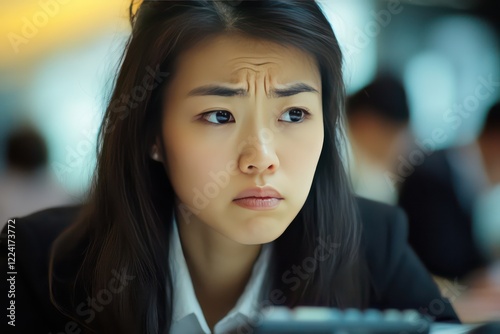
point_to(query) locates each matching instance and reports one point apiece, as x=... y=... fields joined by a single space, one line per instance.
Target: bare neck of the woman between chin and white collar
x=219 y=267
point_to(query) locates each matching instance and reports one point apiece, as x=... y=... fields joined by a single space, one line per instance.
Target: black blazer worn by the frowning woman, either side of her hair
x=398 y=278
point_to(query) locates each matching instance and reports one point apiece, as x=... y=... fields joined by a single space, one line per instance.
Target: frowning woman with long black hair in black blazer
x=219 y=187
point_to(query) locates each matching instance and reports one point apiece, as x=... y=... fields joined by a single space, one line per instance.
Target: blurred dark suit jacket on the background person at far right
x=440 y=225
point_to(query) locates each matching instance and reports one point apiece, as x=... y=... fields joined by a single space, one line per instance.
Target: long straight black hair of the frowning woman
x=126 y=222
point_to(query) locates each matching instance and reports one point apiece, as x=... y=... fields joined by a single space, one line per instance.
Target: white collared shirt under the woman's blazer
x=187 y=314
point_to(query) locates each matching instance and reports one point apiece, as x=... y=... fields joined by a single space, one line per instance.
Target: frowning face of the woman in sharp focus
x=241 y=114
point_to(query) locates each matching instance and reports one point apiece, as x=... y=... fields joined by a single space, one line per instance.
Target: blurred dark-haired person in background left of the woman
x=27 y=184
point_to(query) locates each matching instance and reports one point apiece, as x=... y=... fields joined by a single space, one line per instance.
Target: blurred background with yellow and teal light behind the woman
x=422 y=76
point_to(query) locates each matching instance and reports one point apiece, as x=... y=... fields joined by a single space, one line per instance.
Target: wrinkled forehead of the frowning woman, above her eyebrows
x=237 y=59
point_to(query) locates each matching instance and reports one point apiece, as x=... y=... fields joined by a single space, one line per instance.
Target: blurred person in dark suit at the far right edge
x=441 y=196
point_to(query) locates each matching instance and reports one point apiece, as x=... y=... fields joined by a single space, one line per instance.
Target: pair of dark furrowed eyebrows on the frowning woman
x=217 y=90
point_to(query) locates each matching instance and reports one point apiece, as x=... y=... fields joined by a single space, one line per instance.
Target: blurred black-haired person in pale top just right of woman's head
x=378 y=119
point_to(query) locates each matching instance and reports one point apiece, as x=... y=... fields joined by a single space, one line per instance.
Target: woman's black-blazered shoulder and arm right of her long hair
x=398 y=278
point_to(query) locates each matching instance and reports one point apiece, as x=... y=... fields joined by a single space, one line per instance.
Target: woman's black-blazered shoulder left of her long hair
x=32 y=237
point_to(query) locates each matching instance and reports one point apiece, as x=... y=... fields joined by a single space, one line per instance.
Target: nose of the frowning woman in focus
x=258 y=156
